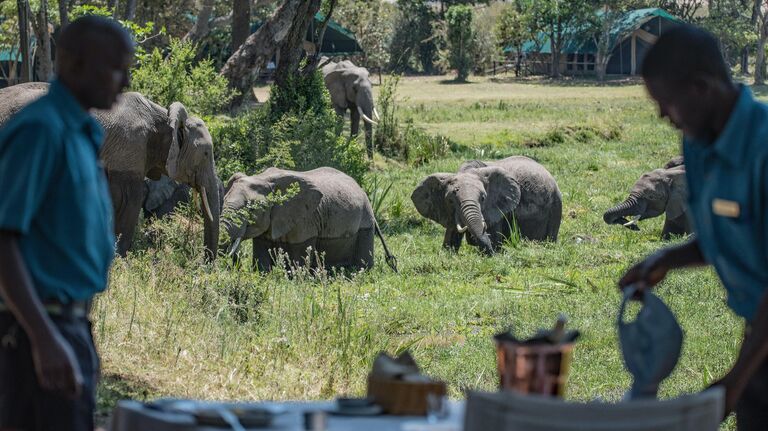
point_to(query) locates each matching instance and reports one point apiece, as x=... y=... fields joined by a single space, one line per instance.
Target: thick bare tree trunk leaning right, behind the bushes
x=260 y=46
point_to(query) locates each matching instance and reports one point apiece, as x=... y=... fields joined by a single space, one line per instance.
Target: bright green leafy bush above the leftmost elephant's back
x=175 y=77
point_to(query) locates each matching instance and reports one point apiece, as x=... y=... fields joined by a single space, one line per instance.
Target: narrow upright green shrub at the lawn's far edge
x=460 y=39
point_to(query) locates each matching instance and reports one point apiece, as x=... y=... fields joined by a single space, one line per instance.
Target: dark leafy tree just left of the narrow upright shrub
x=414 y=40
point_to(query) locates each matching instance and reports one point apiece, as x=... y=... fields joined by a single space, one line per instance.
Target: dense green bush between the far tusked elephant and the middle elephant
x=297 y=129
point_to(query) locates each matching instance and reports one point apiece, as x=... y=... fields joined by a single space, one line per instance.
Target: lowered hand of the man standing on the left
x=56 y=366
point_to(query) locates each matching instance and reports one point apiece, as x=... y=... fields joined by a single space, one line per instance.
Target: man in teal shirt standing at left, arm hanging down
x=56 y=235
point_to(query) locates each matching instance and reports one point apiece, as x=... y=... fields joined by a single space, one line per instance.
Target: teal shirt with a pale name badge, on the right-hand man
x=728 y=202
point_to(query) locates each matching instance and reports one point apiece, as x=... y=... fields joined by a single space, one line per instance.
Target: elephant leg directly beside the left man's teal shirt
x=127 y=192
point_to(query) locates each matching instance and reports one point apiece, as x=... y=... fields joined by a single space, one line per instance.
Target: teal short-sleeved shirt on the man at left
x=55 y=196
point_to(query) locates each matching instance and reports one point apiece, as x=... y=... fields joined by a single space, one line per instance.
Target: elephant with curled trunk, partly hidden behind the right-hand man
x=656 y=192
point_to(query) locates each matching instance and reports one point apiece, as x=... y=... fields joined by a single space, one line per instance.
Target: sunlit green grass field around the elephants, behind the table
x=171 y=326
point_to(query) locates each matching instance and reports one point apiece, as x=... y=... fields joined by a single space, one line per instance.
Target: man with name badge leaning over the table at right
x=725 y=150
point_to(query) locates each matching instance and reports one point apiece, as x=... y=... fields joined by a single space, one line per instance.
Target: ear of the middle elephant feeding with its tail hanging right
x=296 y=210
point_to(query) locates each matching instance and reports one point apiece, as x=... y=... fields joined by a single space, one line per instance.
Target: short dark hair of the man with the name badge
x=683 y=53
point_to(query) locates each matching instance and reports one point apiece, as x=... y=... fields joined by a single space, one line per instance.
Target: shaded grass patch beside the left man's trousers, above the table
x=113 y=388
